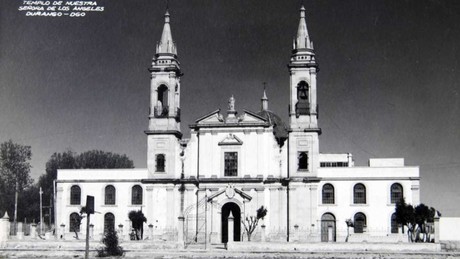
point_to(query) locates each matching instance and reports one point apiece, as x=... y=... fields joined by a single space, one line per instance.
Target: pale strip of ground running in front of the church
x=73 y=250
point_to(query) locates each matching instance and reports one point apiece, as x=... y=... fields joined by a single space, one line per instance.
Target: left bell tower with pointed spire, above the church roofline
x=164 y=133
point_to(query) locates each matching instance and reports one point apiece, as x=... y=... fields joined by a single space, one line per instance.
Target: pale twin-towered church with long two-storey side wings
x=235 y=163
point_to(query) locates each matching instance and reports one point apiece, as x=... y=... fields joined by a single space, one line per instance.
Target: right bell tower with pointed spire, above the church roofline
x=303 y=108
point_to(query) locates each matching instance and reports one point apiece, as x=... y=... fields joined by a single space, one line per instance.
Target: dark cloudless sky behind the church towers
x=388 y=84
